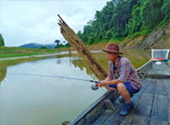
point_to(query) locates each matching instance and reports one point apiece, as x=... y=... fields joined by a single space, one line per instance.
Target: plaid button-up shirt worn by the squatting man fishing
x=125 y=72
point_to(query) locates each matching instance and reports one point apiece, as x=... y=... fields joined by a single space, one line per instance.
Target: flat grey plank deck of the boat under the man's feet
x=151 y=106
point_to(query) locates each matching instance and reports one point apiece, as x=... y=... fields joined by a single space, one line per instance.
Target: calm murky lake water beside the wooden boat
x=31 y=93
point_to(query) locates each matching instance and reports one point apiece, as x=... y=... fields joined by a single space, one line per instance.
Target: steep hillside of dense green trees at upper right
x=122 y=19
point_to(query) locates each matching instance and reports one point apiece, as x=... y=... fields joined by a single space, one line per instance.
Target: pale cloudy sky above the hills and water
x=36 y=21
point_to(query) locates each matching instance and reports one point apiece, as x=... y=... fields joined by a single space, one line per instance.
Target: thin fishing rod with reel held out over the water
x=93 y=87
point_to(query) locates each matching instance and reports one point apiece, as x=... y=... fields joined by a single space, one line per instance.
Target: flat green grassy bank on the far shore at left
x=17 y=52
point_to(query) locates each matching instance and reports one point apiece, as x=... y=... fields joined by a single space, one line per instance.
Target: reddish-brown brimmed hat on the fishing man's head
x=112 y=48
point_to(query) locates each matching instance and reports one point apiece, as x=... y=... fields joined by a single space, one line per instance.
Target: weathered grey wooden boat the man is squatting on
x=151 y=103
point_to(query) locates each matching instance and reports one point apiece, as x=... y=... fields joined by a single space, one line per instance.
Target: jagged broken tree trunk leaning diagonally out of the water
x=77 y=43
